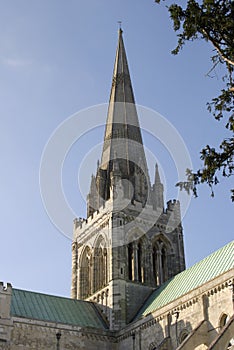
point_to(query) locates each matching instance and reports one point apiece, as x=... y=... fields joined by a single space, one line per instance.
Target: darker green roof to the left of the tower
x=55 y=309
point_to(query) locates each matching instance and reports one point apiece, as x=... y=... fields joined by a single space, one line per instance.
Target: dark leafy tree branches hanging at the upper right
x=212 y=21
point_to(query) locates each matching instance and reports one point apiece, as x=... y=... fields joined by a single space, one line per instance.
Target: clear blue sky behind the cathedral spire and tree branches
x=56 y=58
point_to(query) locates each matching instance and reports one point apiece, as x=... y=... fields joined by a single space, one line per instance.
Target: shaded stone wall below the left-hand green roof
x=29 y=335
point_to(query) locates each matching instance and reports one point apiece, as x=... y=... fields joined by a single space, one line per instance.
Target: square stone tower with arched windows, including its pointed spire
x=129 y=244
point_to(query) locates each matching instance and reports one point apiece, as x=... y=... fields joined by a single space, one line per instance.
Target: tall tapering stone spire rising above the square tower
x=123 y=135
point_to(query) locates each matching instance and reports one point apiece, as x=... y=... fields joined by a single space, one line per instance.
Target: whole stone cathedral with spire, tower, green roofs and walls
x=130 y=289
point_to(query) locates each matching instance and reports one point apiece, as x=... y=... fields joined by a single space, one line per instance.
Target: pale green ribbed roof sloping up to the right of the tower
x=212 y=266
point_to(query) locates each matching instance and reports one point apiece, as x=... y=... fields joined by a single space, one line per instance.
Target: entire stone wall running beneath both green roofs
x=190 y=322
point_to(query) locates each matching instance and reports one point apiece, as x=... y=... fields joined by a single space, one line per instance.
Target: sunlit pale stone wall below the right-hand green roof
x=196 y=314
